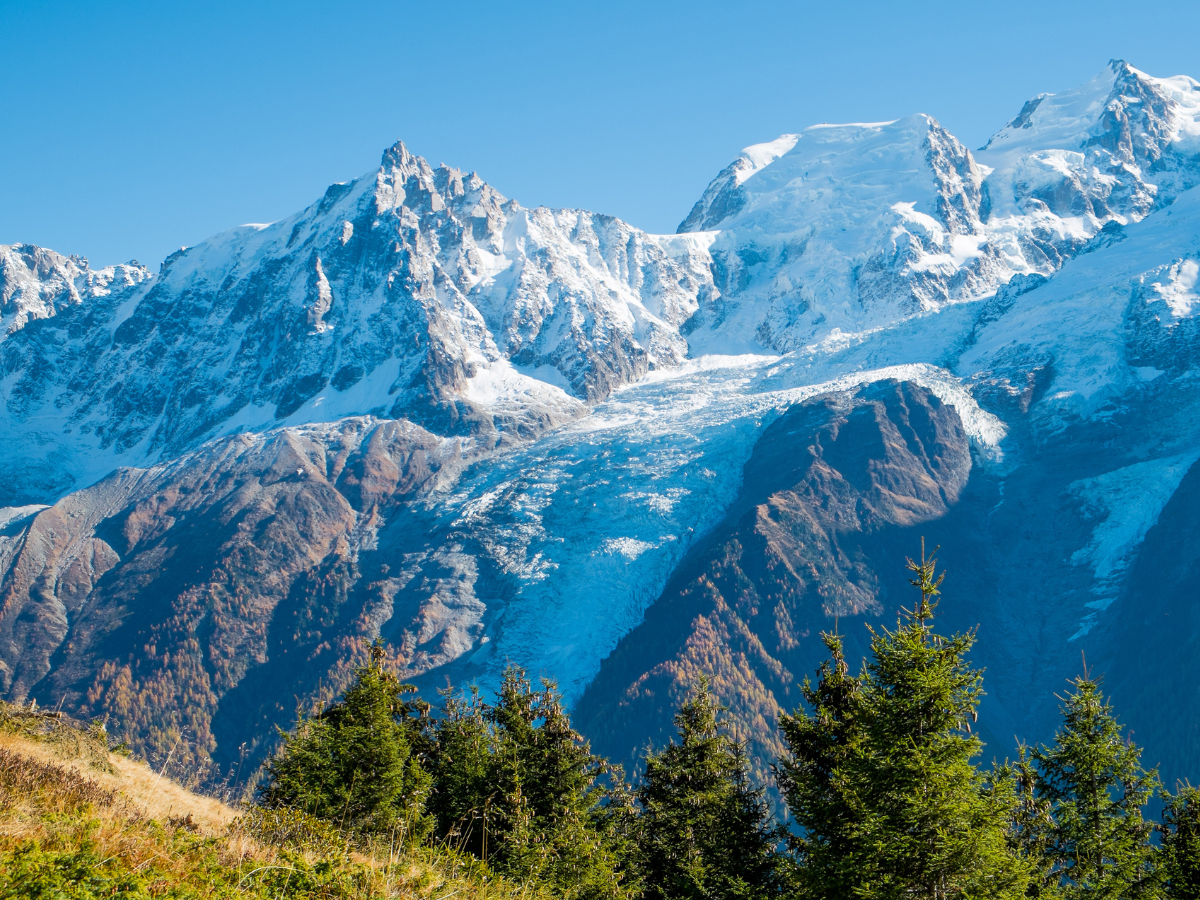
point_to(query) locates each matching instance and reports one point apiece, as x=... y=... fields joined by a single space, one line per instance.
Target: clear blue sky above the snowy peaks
x=130 y=129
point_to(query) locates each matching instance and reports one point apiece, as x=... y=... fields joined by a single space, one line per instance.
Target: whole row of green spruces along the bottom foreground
x=881 y=779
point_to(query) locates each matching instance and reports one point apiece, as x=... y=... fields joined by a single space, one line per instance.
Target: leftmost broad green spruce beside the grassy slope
x=357 y=764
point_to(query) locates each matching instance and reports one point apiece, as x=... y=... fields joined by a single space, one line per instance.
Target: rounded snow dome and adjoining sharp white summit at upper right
x=849 y=229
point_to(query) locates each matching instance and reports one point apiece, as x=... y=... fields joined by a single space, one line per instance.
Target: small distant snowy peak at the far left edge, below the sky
x=37 y=284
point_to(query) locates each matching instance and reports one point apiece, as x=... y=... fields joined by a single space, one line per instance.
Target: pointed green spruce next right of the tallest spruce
x=1099 y=844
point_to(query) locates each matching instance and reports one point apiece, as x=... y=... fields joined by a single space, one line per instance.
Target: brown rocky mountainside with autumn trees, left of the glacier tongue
x=203 y=596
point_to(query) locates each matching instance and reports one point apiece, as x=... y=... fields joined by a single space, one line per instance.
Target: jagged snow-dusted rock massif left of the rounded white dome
x=411 y=292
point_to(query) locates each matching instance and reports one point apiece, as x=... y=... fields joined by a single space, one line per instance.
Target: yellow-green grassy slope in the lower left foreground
x=80 y=821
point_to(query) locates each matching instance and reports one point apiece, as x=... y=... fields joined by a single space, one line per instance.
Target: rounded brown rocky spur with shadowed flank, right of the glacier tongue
x=748 y=604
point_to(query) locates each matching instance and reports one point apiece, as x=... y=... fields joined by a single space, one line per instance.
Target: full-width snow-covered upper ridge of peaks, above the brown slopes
x=423 y=293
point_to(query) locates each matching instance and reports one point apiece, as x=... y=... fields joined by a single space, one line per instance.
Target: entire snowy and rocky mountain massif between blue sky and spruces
x=495 y=435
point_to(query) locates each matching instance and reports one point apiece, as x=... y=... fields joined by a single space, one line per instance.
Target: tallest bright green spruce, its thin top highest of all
x=940 y=825
